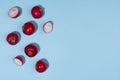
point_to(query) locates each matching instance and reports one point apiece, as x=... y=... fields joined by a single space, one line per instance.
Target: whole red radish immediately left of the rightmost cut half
x=28 y=28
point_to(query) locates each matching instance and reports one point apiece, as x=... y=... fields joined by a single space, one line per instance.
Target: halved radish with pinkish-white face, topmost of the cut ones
x=14 y=12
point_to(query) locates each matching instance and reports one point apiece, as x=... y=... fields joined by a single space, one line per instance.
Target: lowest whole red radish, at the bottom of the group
x=41 y=66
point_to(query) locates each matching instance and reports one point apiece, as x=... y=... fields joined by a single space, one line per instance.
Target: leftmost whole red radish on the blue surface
x=12 y=38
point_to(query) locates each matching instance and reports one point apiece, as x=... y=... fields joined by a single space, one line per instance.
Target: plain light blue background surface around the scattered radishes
x=84 y=45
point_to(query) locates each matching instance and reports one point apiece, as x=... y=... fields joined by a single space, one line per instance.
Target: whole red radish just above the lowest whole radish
x=31 y=50
